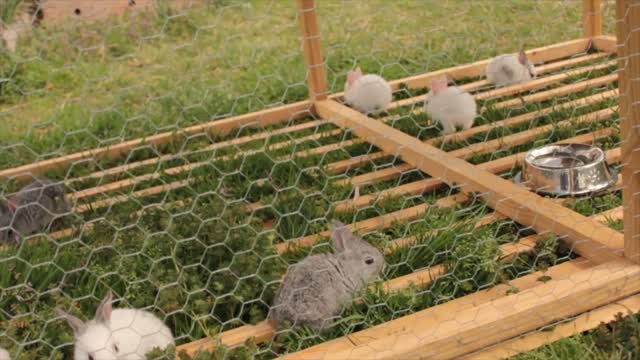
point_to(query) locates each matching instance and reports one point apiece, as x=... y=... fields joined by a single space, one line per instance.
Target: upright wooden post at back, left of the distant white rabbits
x=316 y=76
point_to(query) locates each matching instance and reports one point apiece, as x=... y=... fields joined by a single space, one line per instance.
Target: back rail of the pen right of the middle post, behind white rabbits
x=543 y=54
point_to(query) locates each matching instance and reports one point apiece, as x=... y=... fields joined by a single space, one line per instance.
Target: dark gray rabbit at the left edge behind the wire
x=32 y=209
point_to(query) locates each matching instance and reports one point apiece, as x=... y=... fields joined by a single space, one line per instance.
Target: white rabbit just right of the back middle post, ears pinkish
x=369 y=94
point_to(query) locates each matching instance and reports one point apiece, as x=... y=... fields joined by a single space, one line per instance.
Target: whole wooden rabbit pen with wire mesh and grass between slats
x=198 y=224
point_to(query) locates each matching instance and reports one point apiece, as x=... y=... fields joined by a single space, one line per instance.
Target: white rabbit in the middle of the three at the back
x=450 y=106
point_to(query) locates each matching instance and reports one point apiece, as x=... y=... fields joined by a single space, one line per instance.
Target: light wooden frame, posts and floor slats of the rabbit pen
x=491 y=323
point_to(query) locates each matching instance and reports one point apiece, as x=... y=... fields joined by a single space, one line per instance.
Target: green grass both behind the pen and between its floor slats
x=208 y=265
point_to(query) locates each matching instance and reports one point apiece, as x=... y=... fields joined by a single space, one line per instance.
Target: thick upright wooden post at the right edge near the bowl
x=628 y=35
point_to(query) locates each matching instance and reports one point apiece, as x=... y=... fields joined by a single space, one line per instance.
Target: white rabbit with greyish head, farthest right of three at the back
x=510 y=69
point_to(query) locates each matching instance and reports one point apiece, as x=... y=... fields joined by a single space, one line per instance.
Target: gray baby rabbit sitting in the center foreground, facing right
x=315 y=290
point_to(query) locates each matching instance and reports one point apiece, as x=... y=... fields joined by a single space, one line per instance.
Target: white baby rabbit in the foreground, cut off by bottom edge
x=117 y=334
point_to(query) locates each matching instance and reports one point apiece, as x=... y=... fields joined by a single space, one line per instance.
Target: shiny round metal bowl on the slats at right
x=566 y=170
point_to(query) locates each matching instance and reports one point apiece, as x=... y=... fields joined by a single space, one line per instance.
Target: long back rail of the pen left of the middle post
x=261 y=118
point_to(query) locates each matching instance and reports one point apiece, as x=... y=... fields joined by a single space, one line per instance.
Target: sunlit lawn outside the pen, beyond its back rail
x=158 y=73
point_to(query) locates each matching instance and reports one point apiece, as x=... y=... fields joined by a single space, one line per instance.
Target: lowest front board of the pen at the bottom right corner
x=584 y=322
